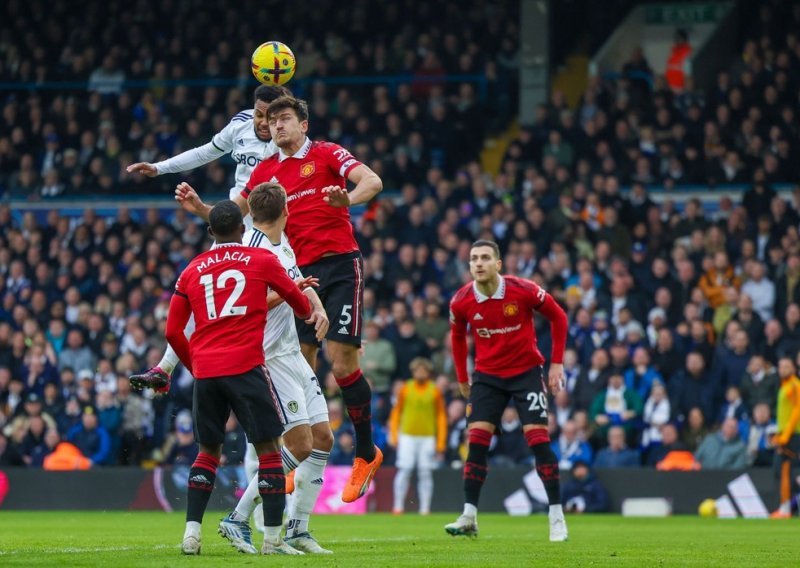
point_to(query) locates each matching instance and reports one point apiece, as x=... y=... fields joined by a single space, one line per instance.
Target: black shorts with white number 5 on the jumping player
x=341 y=289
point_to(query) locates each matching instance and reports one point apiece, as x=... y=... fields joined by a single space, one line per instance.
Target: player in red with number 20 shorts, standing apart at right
x=498 y=312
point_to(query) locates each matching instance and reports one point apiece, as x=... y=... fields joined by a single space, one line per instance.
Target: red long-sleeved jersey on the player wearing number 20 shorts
x=502 y=327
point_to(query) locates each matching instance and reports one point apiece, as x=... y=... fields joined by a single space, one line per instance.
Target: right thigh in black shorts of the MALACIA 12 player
x=253 y=400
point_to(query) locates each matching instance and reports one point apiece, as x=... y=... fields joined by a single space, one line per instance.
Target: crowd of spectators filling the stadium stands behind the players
x=677 y=317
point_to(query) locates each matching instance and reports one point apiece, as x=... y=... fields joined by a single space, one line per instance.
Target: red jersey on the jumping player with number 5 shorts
x=314 y=228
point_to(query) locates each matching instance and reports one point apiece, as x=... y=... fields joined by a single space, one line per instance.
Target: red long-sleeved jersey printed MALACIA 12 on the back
x=226 y=288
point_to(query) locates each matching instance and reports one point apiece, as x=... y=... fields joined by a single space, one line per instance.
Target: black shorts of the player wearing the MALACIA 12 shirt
x=250 y=396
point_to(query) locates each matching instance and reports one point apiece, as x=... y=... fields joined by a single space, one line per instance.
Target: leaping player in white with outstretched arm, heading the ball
x=247 y=139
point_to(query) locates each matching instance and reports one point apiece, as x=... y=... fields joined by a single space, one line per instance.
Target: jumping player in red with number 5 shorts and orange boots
x=319 y=230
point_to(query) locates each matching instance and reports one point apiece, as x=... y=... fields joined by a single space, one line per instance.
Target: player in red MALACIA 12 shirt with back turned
x=226 y=290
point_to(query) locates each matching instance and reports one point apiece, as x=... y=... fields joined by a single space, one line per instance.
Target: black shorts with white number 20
x=489 y=397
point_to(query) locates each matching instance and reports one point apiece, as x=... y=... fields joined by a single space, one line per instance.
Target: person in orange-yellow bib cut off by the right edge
x=787 y=439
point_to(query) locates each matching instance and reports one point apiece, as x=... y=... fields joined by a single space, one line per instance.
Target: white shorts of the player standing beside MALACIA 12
x=298 y=391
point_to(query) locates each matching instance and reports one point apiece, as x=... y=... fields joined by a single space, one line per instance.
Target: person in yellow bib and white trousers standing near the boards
x=418 y=429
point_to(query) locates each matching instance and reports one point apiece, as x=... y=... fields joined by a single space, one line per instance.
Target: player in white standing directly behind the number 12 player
x=307 y=436
